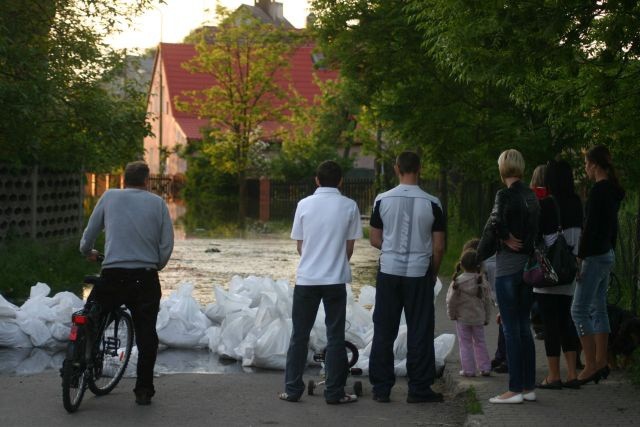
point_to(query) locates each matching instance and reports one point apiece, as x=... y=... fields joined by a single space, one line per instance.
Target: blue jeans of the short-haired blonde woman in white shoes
x=514 y=302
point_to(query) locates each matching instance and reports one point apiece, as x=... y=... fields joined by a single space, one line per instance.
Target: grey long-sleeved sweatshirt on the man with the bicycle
x=138 y=229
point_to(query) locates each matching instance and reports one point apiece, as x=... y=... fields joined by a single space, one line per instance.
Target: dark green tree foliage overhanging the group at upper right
x=461 y=80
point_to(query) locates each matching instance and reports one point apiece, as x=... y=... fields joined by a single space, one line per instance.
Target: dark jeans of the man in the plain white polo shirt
x=306 y=300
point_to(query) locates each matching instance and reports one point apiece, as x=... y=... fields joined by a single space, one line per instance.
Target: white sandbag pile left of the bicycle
x=40 y=322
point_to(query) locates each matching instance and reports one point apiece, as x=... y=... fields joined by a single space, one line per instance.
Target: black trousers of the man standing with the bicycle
x=139 y=290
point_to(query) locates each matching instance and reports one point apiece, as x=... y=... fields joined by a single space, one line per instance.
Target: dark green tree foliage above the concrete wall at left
x=57 y=106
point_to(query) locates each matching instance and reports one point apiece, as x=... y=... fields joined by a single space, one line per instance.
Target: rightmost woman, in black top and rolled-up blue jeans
x=596 y=258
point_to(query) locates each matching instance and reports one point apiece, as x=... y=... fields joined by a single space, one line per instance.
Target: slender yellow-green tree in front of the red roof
x=248 y=61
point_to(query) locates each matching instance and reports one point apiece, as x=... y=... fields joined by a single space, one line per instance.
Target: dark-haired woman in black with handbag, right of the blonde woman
x=555 y=302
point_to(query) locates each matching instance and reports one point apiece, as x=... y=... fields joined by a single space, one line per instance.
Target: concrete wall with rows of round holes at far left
x=40 y=204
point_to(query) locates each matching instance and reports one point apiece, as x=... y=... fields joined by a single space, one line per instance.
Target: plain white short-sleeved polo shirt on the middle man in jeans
x=324 y=222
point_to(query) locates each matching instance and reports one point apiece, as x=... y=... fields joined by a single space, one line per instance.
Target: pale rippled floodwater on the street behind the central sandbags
x=207 y=262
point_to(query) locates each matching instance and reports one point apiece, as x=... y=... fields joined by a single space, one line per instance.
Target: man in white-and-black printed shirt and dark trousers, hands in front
x=408 y=225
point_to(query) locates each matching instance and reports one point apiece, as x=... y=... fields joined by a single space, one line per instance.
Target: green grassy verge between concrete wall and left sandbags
x=57 y=263
